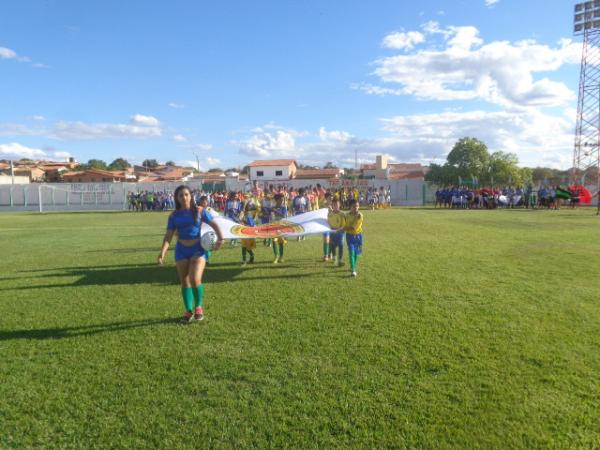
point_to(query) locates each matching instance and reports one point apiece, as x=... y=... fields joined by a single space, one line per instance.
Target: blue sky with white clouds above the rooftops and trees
x=313 y=80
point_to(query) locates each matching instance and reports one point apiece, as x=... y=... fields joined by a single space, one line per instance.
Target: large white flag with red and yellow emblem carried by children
x=314 y=222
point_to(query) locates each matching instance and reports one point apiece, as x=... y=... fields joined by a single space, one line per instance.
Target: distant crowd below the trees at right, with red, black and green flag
x=509 y=197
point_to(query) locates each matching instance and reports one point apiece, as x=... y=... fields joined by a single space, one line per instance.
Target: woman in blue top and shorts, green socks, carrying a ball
x=190 y=257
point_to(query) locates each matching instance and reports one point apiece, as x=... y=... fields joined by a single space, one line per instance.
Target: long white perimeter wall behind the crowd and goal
x=113 y=196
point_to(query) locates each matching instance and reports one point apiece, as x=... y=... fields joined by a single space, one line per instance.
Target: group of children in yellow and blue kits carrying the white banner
x=272 y=206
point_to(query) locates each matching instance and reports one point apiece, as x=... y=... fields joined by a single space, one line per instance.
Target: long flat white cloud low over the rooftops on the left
x=81 y=130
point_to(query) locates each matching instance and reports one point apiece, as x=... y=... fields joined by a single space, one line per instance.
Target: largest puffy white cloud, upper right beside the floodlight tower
x=499 y=72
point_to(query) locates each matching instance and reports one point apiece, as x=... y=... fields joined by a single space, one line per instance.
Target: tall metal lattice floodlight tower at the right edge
x=586 y=154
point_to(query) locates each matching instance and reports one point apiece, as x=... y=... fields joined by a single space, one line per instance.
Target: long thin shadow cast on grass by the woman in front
x=70 y=332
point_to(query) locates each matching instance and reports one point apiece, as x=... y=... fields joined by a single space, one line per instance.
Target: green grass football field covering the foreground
x=464 y=329
